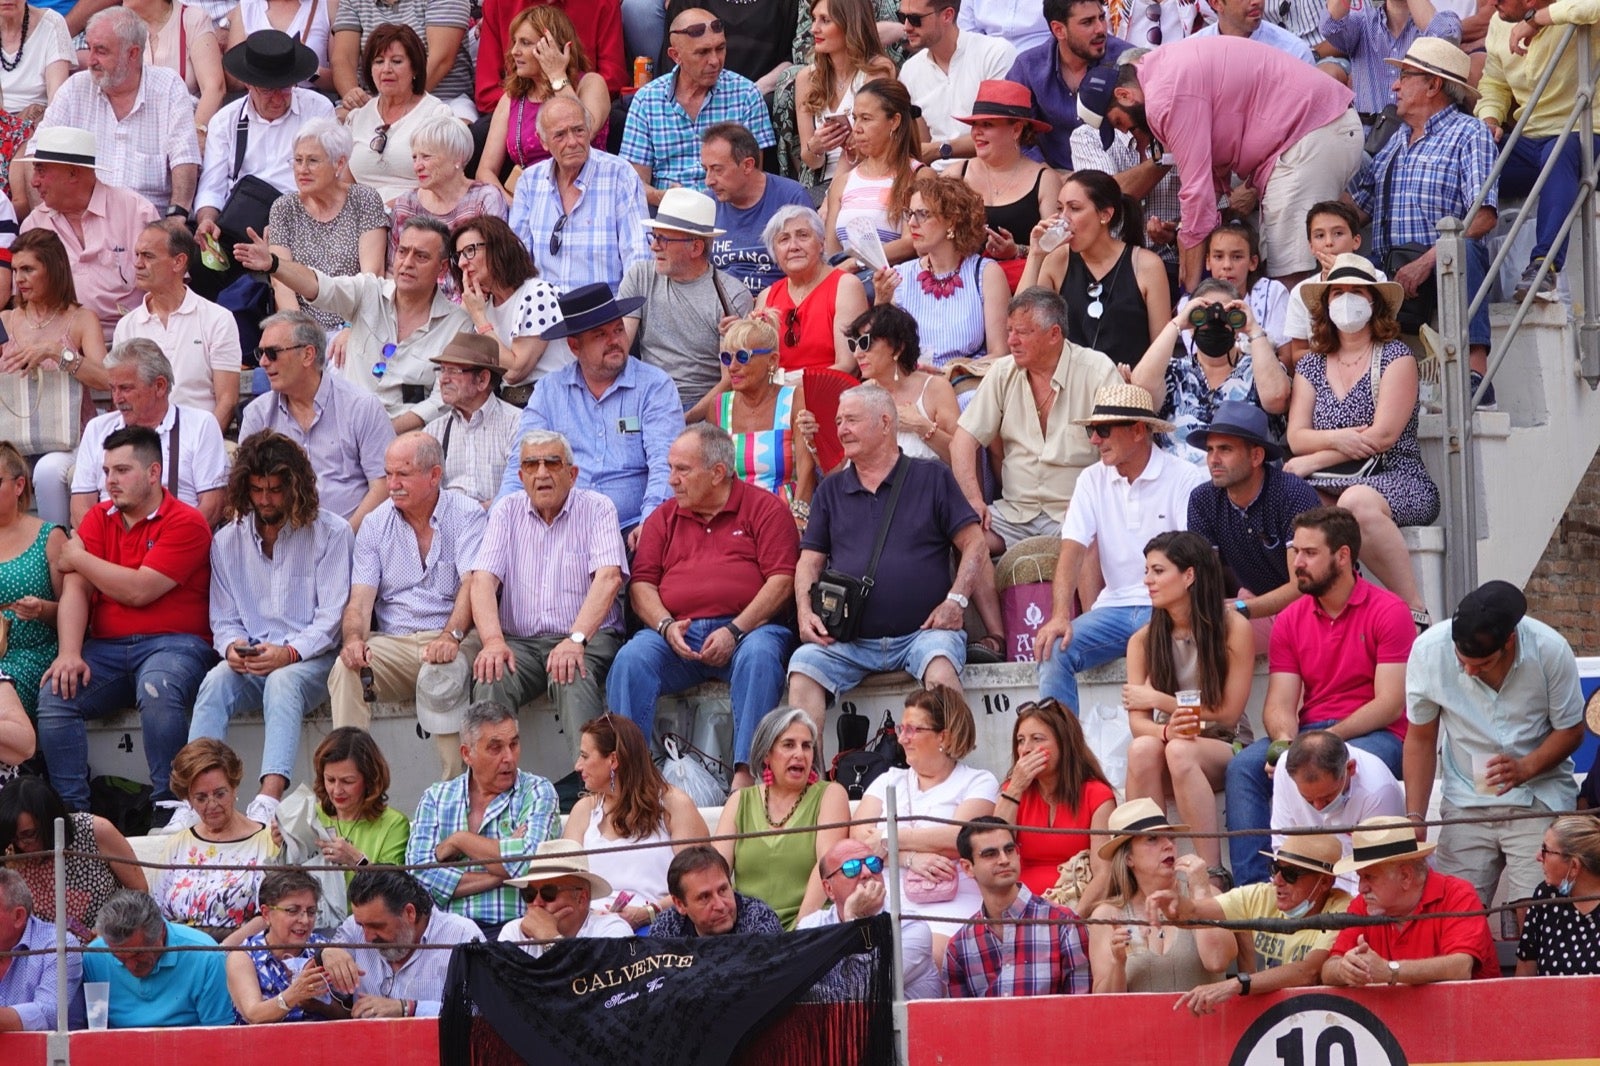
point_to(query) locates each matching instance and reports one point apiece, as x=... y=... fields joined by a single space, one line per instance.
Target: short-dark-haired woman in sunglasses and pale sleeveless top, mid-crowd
x=887 y=350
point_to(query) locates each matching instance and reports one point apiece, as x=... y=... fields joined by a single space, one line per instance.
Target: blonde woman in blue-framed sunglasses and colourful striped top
x=762 y=415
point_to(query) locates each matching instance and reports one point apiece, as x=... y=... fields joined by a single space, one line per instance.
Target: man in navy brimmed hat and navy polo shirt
x=1249 y=508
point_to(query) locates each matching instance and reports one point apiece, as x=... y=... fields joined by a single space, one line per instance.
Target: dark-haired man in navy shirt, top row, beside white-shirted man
x=1055 y=71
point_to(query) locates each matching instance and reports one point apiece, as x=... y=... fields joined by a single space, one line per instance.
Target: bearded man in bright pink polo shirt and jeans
x=1337 y=663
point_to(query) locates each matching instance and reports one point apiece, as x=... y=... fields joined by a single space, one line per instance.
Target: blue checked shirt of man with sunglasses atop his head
x=662 y=135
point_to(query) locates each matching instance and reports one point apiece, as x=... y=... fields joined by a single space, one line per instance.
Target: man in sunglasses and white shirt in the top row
x=945 y=74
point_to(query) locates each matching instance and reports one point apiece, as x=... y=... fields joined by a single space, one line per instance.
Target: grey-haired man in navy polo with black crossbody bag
x=914 y=617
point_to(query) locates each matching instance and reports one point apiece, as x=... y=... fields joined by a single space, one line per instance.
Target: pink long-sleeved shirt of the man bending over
x=1231 y=106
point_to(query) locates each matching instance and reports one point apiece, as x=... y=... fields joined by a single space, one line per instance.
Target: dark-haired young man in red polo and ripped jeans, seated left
x=134 y=620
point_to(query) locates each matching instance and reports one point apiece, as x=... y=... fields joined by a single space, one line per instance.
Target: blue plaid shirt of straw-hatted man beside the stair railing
x=1434 y=178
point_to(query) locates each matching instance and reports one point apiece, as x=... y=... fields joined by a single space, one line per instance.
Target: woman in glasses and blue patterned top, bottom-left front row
x=287 y=982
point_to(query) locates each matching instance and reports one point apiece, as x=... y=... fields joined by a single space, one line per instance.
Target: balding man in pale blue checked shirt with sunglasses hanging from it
x=580 y=212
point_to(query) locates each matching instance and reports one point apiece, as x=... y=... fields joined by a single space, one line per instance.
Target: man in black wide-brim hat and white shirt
x=271 y=65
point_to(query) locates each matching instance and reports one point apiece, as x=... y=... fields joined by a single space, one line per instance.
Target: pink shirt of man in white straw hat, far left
x=103 y=262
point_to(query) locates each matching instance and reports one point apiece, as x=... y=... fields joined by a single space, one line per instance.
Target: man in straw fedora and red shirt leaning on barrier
x=1399 y=884
